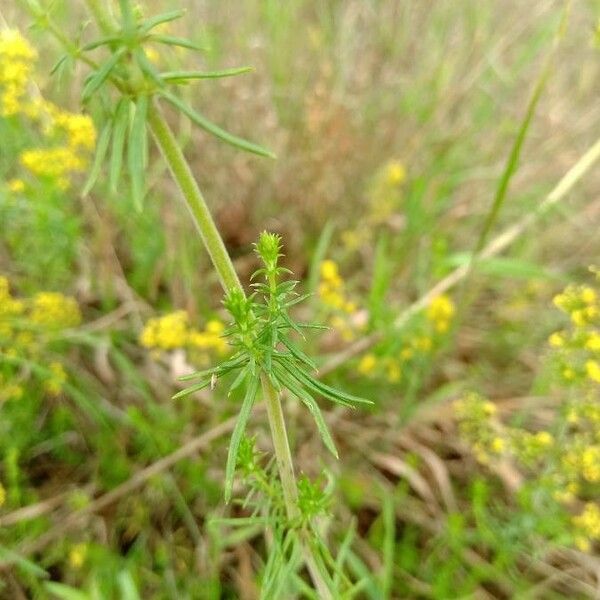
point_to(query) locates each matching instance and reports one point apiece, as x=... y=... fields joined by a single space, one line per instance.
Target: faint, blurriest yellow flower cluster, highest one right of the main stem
x=384 y=197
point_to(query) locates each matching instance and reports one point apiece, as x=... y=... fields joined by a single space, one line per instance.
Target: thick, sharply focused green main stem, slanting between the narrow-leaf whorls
x=213 y=242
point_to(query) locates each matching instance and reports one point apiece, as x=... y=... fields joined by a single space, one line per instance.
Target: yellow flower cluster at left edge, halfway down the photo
x=24 y=324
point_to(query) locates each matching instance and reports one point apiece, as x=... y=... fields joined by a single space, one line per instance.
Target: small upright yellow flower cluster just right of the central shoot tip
x=334 y=297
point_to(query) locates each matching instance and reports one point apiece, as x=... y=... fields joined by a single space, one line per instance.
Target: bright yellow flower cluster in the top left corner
x=69 y=137
